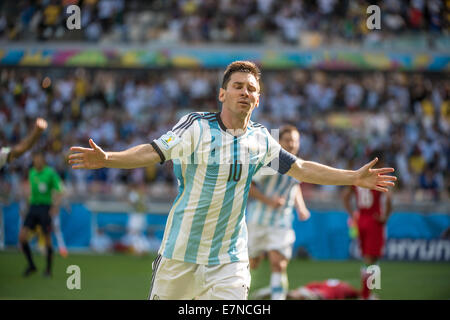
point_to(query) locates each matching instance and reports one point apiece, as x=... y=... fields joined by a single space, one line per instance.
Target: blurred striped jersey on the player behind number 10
x=271 y=186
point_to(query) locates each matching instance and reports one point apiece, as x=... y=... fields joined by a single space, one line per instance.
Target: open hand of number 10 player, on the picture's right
x=375 y=178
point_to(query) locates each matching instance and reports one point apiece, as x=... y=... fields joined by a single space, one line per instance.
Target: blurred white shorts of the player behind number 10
x=262 y=239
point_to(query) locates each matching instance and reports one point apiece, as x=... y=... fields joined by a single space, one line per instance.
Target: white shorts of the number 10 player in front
x=178 y=280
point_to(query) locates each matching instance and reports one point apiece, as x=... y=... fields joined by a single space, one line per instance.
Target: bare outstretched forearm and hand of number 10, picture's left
x=95 y=158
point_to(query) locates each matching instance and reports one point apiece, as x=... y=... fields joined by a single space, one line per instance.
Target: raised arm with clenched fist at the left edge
x=7 y=155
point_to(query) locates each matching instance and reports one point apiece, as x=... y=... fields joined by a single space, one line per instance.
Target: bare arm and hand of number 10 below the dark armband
x=366 y=177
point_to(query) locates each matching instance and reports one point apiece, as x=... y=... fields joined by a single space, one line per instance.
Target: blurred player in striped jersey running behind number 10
x=270 y=217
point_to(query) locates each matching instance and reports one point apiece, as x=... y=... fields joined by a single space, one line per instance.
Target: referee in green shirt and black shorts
x=45 y=200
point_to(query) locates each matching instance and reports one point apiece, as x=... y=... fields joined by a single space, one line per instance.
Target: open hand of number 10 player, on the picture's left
x=88 y=158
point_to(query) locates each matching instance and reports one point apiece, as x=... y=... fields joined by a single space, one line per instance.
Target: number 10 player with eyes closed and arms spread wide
x=215 y=155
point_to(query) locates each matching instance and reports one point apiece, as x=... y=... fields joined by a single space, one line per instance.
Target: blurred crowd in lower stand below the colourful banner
x=342 y=117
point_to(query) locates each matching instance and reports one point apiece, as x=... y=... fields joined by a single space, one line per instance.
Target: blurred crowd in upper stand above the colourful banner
x=309 y=23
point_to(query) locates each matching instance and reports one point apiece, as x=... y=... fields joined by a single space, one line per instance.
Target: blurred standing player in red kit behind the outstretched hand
x=373 y=208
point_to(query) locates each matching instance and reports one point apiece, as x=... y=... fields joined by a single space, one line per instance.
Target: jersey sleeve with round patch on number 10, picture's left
x=180 y=142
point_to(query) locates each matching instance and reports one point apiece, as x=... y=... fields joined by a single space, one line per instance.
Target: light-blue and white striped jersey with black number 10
x=214 y=169
